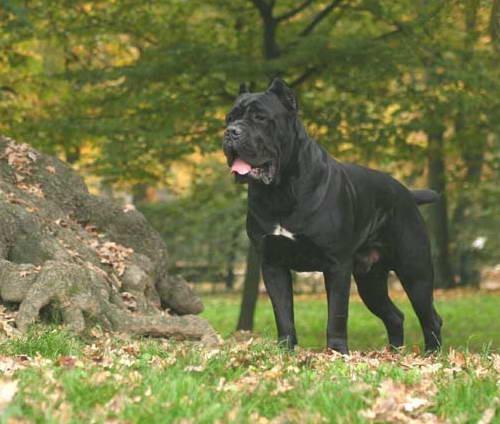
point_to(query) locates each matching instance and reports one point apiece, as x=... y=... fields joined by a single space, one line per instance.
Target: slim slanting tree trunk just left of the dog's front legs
x=250 y=290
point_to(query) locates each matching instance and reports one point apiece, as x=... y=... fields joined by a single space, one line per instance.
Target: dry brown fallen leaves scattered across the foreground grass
x=252 y=367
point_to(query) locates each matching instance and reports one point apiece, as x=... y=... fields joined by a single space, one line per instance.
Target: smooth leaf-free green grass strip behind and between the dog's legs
x=471 y=321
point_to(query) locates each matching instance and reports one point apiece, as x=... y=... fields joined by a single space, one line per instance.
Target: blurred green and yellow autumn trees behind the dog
x=134 y=95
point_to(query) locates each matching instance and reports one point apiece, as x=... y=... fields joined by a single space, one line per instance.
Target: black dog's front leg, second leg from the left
x=338 y=284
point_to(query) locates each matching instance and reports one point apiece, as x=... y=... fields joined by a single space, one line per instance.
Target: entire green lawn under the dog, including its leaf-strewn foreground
x=56 y=377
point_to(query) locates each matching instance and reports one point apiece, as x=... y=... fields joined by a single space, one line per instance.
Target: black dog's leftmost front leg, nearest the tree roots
x=278 y=282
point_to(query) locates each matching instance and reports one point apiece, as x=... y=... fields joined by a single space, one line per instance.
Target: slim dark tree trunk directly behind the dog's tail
x=438 y=213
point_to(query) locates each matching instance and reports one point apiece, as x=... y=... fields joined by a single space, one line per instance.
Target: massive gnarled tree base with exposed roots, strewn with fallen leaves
x=85 y=256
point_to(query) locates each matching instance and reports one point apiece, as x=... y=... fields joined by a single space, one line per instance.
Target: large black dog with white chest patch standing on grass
x=308 y=212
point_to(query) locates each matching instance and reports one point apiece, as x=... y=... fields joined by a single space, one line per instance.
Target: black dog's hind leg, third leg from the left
x=372 y=288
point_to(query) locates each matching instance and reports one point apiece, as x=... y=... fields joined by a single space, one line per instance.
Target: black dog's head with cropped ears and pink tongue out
x=260 y=130
